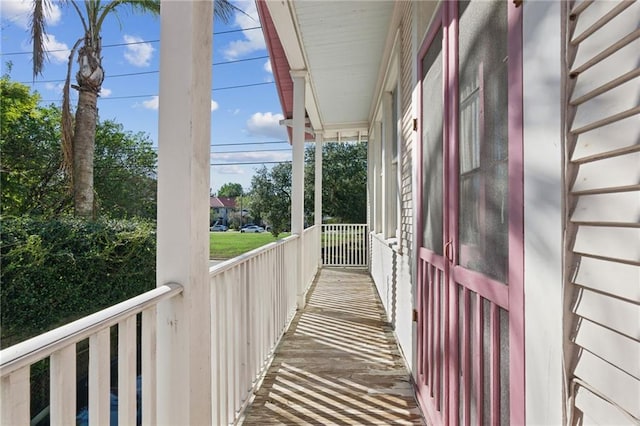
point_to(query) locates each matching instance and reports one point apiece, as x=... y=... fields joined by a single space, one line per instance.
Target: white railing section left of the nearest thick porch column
x=59 y=346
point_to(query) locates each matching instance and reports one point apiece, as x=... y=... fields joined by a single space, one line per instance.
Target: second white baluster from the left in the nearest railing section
x=63 y=384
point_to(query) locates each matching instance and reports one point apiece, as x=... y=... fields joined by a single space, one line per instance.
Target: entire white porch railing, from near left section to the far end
x=253 y=299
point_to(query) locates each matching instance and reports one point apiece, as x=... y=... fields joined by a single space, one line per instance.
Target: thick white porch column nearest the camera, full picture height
x=184 y=322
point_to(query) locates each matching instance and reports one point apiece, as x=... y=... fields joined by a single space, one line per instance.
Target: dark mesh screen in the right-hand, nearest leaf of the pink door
x=483 y=142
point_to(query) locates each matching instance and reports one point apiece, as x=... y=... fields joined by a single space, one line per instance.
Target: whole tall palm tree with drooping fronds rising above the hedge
x=78 y=141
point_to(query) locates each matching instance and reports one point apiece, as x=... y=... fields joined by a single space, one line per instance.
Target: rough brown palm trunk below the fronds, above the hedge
x=83 y=150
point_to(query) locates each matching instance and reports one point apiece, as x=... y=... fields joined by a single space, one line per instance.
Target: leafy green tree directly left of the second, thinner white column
x=271 y=196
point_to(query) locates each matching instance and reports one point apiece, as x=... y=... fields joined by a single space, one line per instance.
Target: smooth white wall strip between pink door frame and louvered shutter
x=543 y=211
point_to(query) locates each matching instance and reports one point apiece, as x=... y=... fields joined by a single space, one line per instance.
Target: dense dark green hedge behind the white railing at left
x=55 y=271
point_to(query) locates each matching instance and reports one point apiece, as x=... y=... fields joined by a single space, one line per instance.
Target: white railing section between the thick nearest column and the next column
x=253 y=299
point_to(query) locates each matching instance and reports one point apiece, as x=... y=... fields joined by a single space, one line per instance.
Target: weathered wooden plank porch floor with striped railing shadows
x=338 y=362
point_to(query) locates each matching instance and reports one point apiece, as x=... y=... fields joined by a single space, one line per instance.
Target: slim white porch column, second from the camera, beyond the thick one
x=297 y=175
